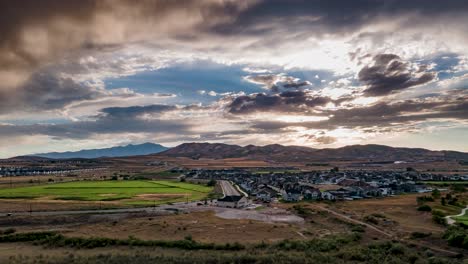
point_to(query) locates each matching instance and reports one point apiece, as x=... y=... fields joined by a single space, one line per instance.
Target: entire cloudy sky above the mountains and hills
x=316 y=73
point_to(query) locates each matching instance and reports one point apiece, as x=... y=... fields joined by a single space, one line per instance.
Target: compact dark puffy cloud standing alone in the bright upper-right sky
x=389 y=74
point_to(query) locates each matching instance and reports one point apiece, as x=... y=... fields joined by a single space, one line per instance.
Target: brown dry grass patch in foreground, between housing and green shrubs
x=202 y=226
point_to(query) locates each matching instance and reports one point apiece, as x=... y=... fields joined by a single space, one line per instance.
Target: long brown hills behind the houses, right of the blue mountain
x=282 y=153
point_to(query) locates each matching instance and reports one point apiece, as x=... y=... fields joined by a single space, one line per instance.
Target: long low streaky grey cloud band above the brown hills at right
x=384 y=116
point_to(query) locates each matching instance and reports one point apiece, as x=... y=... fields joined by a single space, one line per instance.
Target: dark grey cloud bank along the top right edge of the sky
x=334 y=16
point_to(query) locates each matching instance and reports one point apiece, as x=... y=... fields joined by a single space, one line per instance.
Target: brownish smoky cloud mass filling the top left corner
x=35 y=33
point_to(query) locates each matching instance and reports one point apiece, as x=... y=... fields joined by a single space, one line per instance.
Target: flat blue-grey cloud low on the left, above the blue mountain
x=112 y=120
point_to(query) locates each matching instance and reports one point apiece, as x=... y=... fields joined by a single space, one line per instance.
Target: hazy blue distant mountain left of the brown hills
x=120 y=151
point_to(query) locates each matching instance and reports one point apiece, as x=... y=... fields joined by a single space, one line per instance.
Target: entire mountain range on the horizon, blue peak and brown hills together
x=274 y=152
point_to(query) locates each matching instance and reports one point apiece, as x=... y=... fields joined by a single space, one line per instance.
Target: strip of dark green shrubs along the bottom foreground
x=331 y=249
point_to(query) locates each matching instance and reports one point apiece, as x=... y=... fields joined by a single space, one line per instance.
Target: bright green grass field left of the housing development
x=138 y=192
